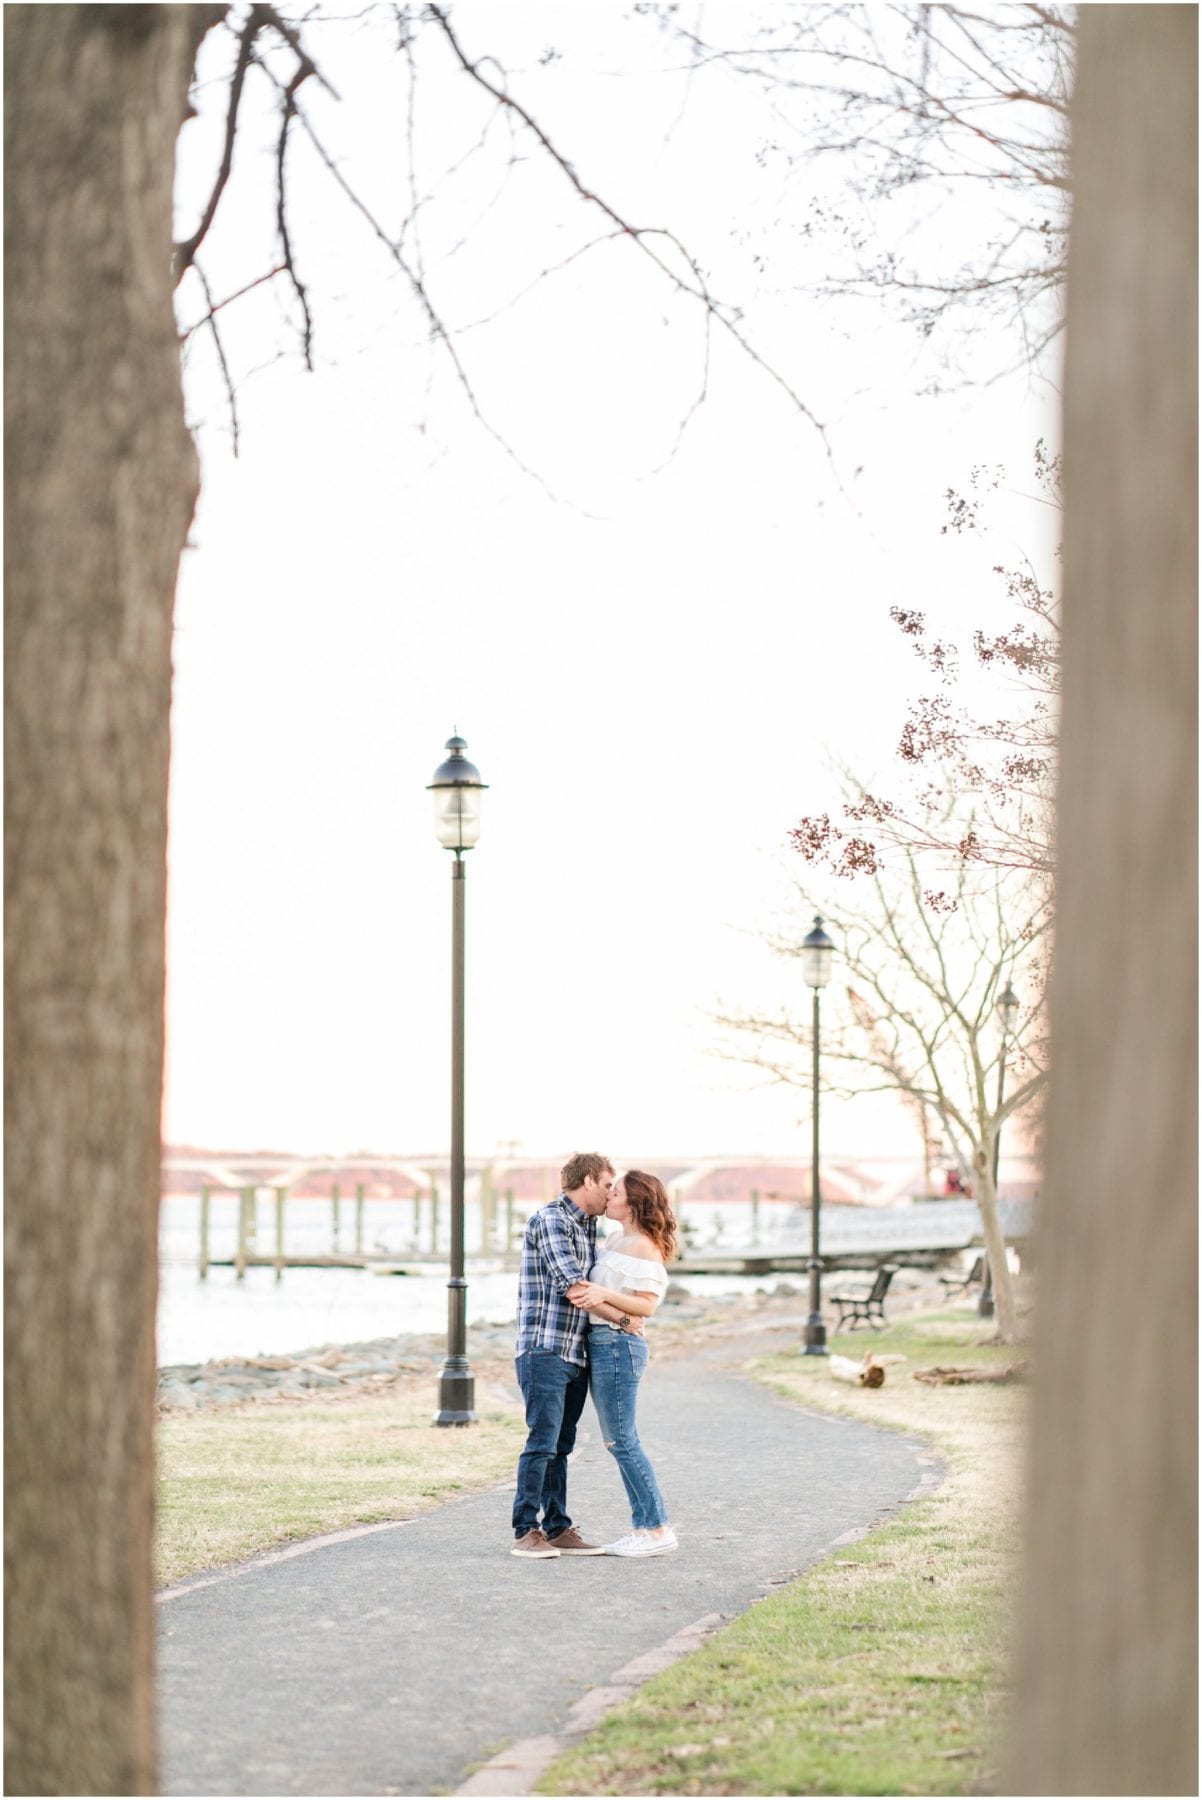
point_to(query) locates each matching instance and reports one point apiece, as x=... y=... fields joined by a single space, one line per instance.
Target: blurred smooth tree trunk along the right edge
x=1108 y=1655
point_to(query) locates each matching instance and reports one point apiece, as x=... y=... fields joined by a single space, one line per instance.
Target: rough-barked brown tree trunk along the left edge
x=102 y=481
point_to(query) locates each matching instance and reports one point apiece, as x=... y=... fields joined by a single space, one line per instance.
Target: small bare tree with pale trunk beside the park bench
x=917 y=1016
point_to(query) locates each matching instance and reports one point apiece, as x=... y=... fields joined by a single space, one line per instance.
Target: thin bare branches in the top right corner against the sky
x=924 y=109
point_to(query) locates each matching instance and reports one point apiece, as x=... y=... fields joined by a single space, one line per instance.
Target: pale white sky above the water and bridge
x=656 y=651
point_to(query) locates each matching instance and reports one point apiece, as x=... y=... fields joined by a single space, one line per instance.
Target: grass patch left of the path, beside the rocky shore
x=238 y=1482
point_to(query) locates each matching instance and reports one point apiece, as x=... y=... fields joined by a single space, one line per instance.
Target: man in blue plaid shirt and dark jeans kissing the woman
x=553 y=1354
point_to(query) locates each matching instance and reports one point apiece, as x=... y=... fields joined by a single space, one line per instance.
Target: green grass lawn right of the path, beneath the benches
x=883 y=1669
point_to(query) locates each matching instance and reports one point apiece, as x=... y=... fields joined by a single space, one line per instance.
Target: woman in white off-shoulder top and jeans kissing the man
x=627 y=1282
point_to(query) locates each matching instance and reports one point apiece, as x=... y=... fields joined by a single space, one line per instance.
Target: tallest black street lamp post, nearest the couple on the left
x=458 y=791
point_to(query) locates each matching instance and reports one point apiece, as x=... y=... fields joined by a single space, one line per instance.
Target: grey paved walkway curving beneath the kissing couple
x=397 y=1660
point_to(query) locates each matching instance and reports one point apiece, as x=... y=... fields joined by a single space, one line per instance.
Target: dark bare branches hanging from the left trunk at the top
x=433 y=51
